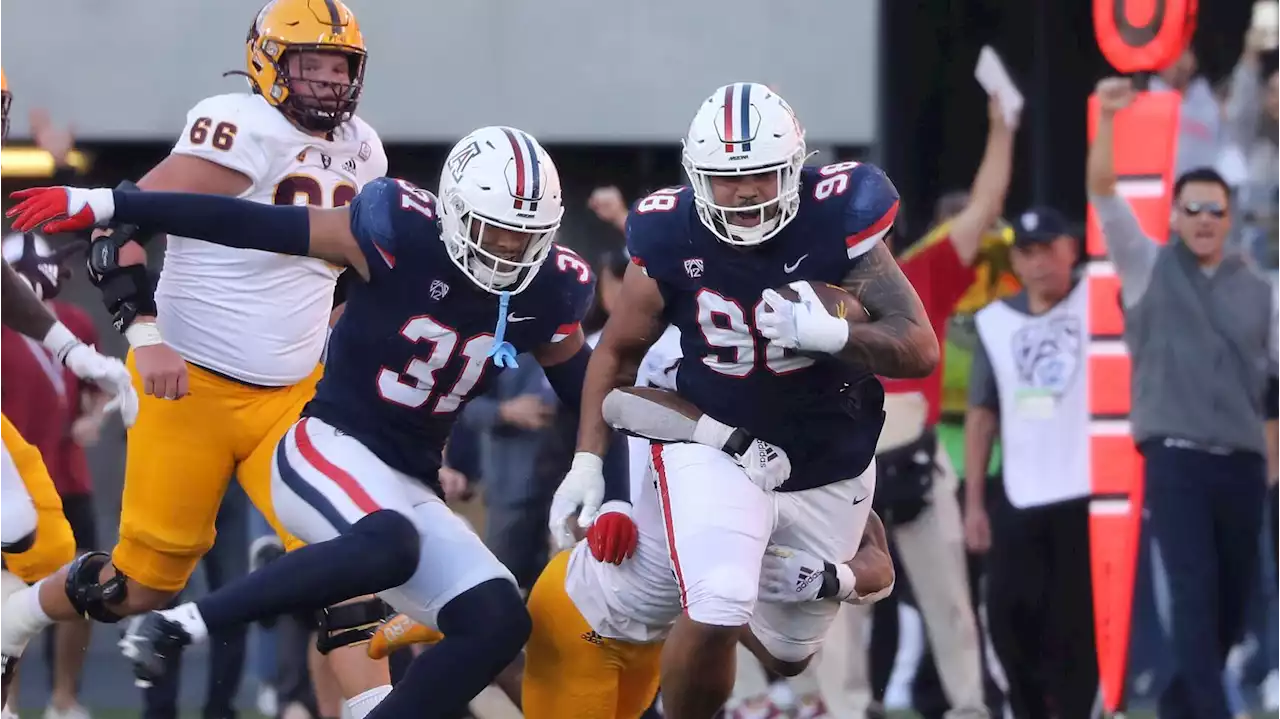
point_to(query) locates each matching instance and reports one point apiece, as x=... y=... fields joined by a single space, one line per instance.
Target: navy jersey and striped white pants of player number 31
x=410 y=351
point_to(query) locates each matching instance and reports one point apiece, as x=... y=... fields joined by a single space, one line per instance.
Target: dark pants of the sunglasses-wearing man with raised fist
x=1206 y=519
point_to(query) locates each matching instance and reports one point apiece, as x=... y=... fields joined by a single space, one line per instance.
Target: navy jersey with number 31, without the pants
x=412 y=349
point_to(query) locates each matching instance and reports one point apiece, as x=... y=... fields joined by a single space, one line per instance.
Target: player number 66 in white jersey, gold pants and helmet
x=227 y=345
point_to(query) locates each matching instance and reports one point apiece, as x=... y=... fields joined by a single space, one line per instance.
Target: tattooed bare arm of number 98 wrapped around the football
x=899 y=341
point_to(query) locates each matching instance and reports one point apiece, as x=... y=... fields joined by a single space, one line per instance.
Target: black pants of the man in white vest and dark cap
x=1040 y=606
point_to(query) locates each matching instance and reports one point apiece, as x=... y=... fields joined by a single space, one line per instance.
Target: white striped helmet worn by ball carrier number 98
x=743 y=130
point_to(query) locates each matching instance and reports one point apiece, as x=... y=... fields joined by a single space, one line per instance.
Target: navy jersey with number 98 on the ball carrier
x=826 y=415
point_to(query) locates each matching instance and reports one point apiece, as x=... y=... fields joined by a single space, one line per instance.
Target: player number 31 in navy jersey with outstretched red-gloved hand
x=455 y=288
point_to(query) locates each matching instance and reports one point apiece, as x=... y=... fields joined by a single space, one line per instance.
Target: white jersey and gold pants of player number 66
x=252 y=327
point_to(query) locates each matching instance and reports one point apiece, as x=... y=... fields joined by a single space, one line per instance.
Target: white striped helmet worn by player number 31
x=500 y=177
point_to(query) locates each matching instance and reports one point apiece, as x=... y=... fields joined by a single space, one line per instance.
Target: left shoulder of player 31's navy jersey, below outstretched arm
x=395 y=222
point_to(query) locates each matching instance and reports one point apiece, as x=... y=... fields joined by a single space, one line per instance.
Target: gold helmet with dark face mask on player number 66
x=286 y=26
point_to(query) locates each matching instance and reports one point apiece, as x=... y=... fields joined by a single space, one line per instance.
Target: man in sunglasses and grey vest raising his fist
x=1201 y=327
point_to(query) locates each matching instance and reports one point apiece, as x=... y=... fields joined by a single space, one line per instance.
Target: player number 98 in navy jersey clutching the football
x=706 y=259
